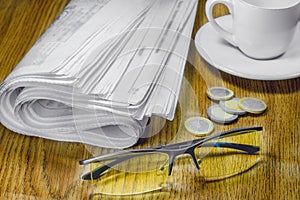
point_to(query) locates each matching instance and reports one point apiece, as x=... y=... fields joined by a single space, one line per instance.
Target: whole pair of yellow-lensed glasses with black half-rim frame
x=218 y=156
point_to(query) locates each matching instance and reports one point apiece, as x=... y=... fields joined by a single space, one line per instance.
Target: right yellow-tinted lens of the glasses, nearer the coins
x=221 y=158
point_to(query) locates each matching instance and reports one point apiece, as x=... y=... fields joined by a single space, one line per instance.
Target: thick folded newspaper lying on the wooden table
x=100 y=71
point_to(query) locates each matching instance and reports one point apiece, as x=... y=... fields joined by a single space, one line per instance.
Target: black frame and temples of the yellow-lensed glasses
x=173 y=151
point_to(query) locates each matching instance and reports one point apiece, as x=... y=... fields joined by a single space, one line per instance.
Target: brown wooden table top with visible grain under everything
x=36 y=168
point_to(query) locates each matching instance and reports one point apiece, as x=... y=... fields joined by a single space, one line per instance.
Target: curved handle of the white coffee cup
x=229 y=37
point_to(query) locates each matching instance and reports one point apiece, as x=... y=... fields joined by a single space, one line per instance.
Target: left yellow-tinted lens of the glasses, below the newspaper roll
x=135 y=174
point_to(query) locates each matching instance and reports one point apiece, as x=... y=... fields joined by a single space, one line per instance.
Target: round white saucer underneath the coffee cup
x=220 y=54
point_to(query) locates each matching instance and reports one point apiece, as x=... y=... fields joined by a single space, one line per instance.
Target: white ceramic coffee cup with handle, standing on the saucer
x=262 y=29
